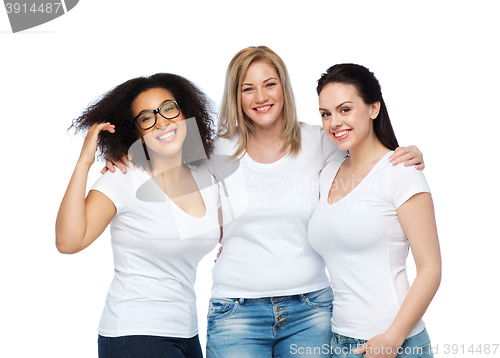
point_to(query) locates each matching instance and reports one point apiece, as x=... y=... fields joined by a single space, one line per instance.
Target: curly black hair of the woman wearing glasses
x=115 y=107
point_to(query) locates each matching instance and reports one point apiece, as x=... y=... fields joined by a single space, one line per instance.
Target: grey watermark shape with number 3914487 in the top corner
x=25 y=15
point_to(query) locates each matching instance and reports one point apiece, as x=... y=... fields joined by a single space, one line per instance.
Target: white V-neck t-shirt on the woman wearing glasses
x=156 y=249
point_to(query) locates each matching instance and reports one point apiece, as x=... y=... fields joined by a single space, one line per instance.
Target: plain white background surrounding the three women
x=438 y=65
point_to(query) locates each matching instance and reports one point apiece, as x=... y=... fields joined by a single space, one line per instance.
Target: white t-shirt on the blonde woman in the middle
x=265 y=248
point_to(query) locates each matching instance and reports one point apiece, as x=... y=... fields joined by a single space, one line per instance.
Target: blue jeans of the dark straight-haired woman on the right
x=418 y=346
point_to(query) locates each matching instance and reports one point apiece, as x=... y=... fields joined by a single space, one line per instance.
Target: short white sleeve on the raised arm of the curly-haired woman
x=118 y=187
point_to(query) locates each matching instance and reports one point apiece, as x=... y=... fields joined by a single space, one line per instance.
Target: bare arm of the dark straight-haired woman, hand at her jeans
x=417 y=219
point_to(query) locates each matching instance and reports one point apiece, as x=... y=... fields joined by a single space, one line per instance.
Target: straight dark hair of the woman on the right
x=368 y=88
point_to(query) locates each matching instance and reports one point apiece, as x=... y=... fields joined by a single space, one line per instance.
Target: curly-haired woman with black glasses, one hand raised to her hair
x=163 y=216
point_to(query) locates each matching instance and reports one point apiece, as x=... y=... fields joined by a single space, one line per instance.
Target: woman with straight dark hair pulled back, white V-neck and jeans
x=368 y=215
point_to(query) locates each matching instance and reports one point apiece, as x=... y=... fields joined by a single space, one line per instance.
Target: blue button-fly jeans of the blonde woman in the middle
x=270 y=327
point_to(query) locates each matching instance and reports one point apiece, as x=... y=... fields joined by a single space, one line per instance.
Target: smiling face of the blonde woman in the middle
x=262 y=95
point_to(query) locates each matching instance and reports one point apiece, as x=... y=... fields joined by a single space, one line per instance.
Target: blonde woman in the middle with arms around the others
x=271 y=296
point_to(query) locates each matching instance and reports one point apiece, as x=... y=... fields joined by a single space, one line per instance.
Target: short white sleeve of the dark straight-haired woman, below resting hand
x=403 y=183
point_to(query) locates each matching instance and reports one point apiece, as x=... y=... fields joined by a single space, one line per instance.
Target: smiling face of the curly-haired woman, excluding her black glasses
x=165 y=138
